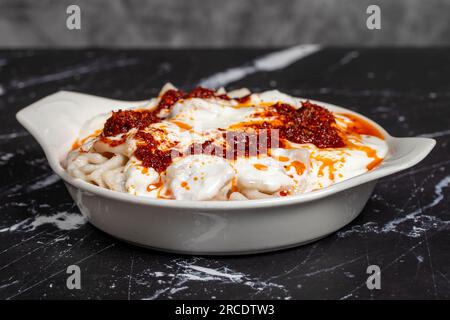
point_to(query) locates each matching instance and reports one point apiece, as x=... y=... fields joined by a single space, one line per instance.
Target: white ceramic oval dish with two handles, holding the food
x=209 y=227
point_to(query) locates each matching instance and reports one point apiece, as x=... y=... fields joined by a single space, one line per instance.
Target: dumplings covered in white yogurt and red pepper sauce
x=218 y=145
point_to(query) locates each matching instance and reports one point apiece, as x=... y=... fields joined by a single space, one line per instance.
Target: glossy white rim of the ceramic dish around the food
x=381 y=171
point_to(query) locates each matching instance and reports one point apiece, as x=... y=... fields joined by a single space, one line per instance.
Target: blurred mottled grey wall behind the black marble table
x=220 y=23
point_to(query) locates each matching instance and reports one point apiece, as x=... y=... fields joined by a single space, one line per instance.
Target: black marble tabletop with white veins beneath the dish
x=404 y=228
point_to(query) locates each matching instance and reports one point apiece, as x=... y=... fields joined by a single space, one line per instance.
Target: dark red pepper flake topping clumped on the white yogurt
x=309 y=124
